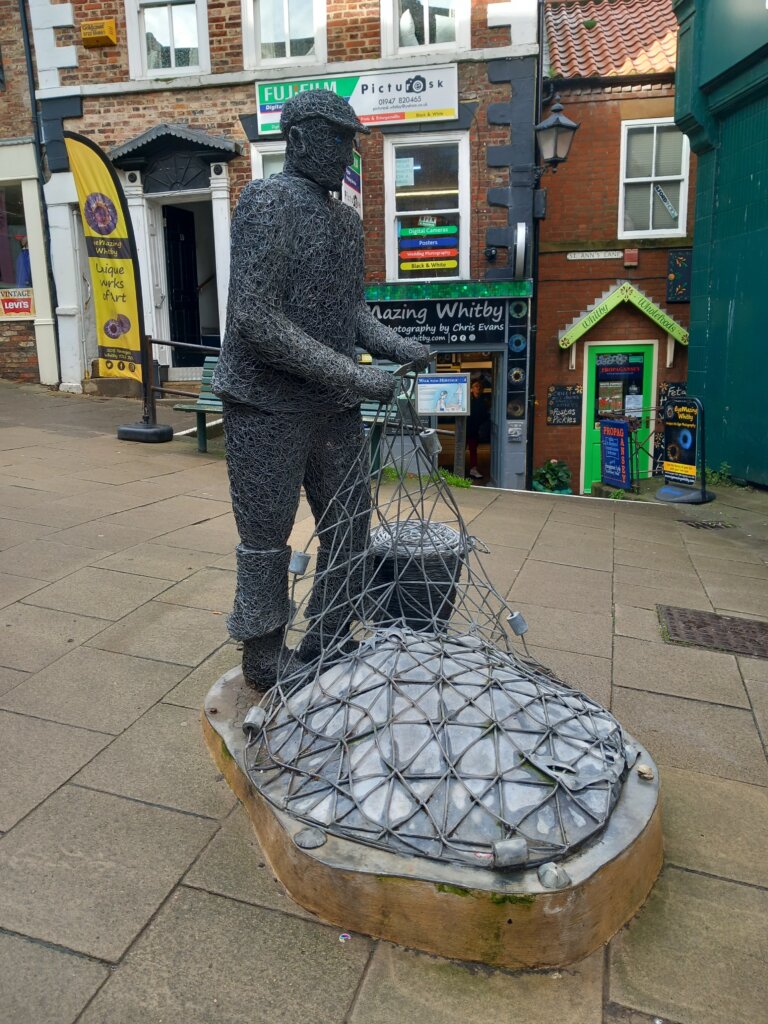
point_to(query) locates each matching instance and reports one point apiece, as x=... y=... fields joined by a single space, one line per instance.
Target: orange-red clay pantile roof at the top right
x=610 y=38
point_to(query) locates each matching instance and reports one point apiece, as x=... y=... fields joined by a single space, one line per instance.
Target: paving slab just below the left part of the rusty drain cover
x=678 y=670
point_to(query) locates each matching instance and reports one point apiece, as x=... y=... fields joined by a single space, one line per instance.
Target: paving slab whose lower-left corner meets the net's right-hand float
x=564 y=587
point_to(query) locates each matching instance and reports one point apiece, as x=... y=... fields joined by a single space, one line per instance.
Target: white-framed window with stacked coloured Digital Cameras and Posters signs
x=428 y=190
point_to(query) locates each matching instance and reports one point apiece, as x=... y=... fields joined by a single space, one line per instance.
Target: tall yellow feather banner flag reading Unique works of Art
x=112 y=259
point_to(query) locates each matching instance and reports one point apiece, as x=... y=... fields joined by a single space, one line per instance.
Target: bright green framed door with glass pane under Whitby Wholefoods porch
x=619 y=387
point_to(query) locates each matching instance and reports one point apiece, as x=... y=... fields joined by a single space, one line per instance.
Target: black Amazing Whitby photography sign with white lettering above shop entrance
x=481 y=324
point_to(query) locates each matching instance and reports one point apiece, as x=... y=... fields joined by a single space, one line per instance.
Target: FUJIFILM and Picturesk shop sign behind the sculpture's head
x=377 y=98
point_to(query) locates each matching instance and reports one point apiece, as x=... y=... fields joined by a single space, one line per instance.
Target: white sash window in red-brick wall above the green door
x=655 y=180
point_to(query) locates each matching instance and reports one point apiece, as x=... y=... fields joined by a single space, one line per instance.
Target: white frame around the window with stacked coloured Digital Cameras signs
x=426 y=139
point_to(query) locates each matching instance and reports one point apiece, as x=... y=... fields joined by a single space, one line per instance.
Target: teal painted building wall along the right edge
x=729 y=129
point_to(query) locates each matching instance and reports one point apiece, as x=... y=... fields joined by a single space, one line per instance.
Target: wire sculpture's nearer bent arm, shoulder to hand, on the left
x=261 y=267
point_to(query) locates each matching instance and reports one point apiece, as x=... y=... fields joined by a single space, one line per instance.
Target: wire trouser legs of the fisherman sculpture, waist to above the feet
x=270 y=456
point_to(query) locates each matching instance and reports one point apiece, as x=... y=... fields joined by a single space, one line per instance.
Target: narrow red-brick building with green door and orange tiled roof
x=613 y=66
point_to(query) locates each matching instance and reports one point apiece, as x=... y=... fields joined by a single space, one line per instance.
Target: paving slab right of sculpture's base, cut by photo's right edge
x=715 y=826
